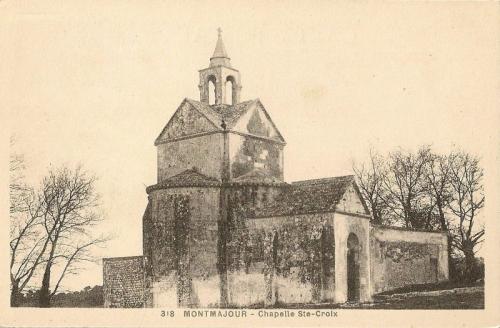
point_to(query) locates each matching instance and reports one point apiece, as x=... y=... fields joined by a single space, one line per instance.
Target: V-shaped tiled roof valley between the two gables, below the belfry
x=229 y=113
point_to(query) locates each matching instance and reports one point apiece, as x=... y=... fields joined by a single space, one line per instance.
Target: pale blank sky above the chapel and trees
x=95 y=82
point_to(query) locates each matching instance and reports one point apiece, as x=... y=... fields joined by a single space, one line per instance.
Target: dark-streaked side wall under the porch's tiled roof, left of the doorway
x=280 y=260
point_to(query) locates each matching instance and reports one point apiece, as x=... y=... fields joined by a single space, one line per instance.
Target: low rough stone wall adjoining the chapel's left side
x=123 y=282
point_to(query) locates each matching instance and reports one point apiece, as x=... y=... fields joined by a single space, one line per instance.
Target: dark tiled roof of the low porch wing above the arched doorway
x=309 y=196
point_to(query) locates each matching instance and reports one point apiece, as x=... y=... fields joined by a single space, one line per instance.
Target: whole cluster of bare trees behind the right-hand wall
x=427 y=190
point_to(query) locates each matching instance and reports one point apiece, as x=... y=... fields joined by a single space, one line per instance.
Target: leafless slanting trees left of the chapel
x=51 y=228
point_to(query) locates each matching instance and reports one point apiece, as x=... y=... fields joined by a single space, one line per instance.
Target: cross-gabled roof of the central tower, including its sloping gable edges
x=219 y=114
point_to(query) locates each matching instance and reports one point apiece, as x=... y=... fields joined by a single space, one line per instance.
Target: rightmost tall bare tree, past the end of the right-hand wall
x=466 y=181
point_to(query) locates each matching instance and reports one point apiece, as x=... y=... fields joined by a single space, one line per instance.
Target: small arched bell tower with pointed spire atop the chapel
x=224 y=78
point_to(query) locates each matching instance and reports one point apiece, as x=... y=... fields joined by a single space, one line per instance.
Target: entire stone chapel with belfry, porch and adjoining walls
x=223 y=229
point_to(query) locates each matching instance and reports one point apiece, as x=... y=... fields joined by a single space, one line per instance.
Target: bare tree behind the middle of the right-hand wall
x=405 y=187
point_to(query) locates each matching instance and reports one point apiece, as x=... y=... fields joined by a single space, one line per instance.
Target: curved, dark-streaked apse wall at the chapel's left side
x=182 y=246
